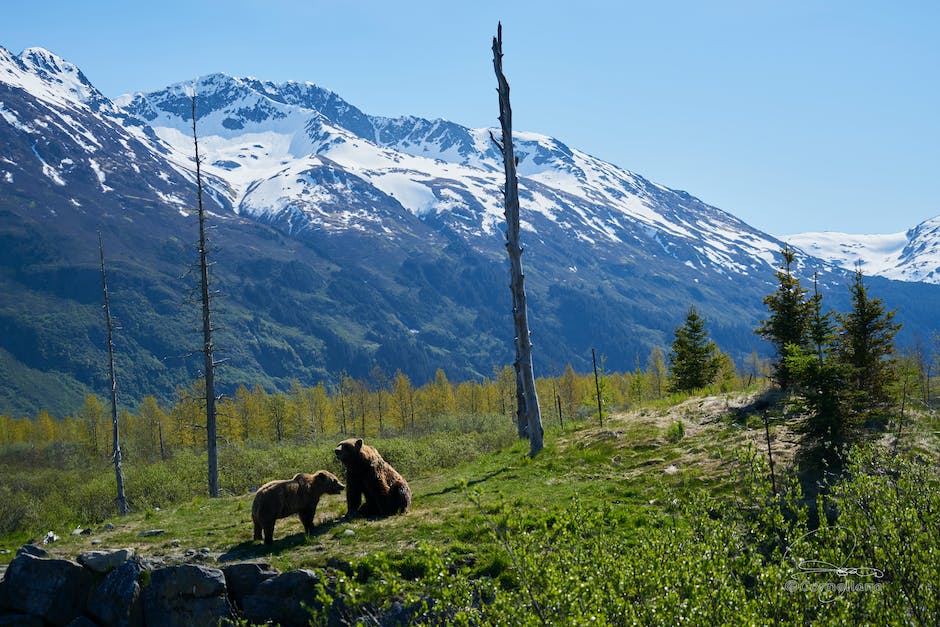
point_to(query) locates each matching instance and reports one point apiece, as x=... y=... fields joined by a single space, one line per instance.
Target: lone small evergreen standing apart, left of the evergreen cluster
x=693 y=357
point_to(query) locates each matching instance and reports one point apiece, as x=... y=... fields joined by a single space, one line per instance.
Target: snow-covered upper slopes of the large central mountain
x=281 y=147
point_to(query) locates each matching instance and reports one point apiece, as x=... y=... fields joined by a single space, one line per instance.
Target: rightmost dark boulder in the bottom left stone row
x=279 y=599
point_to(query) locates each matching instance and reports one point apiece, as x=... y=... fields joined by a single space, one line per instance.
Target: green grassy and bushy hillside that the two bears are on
x=639 y=521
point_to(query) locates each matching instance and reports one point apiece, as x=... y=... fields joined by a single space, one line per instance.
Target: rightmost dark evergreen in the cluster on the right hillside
x=865 y=343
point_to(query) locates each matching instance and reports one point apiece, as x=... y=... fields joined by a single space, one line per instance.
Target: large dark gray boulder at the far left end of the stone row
x=55 y=590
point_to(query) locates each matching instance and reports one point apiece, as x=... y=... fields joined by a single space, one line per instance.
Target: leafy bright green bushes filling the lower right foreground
x=720 y=561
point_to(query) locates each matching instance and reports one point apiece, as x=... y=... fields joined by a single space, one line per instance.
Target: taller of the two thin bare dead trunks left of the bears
x=207 y=347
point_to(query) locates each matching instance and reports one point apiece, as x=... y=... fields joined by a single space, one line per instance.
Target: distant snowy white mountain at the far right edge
x=912 y=255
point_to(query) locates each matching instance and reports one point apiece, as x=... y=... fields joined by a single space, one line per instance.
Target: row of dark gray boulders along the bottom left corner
x=117 y=587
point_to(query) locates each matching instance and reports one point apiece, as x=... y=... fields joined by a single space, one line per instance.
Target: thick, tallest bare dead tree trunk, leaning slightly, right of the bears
x=523 y=344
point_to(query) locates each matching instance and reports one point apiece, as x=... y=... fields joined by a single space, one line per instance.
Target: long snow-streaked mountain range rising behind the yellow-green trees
x=342 y=241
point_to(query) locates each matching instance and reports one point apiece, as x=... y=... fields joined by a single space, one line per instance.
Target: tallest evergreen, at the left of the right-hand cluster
x=788 y=321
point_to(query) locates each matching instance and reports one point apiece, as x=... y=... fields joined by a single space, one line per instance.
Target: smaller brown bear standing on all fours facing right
x=300 y=495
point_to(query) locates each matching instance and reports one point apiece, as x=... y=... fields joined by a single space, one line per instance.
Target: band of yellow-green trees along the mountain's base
x=379 y=405
